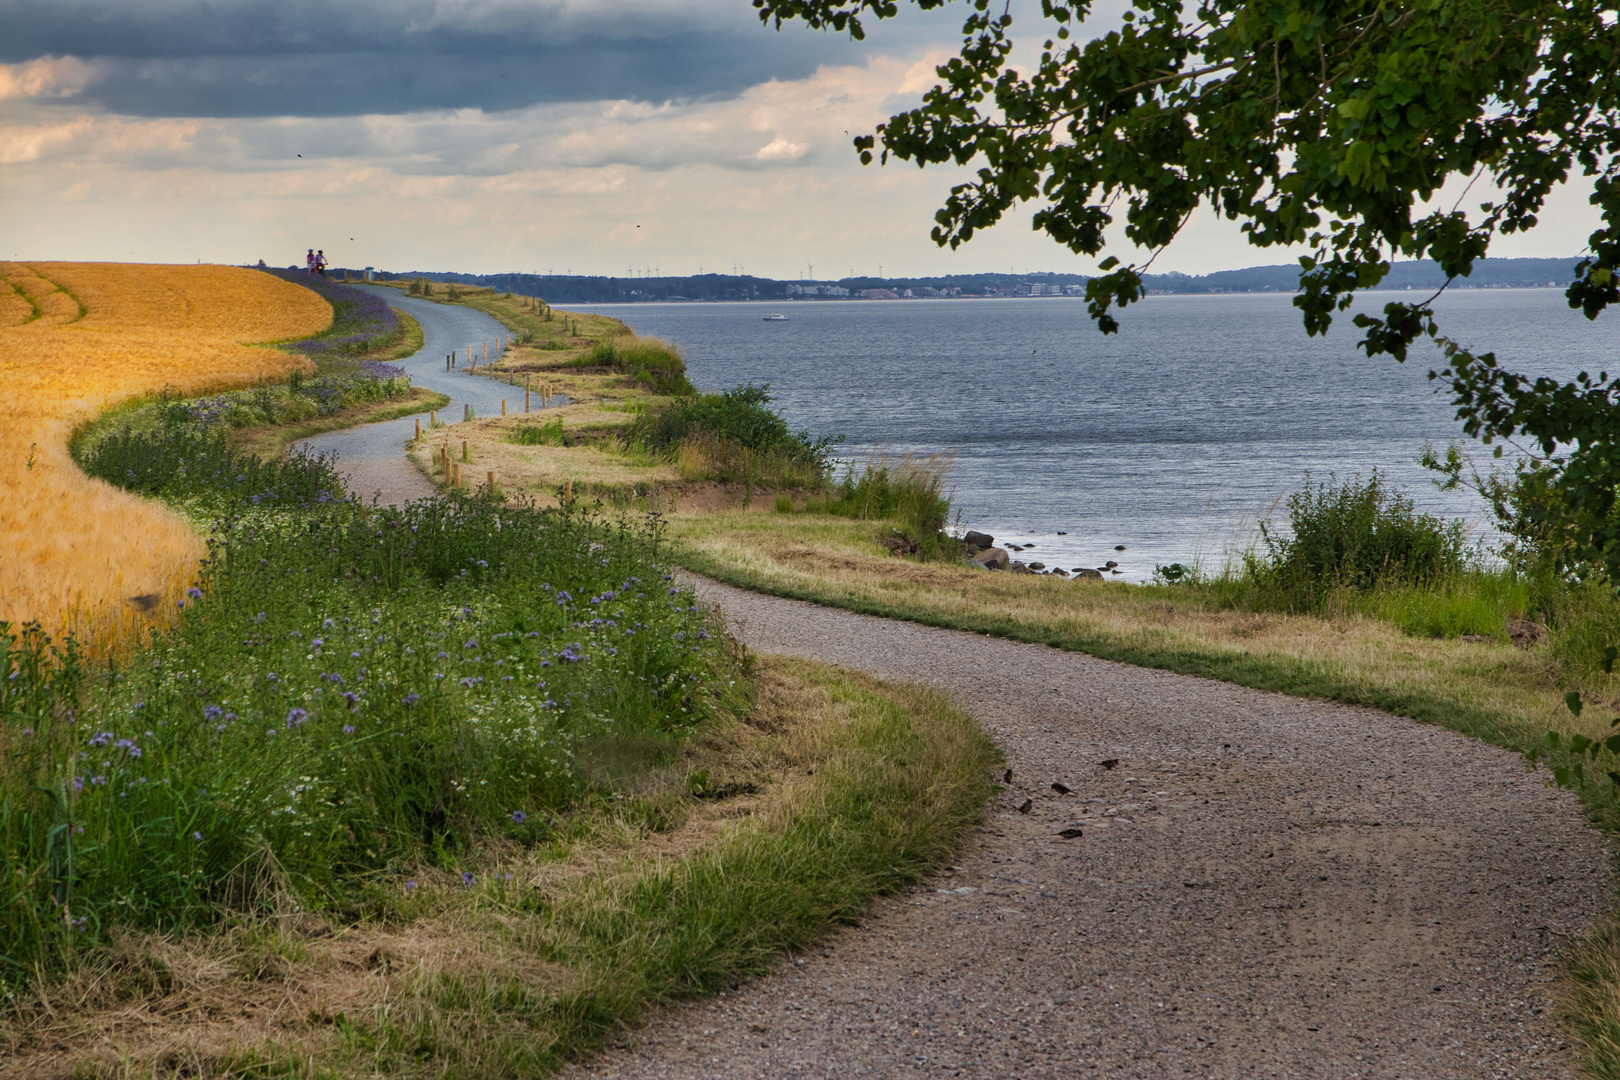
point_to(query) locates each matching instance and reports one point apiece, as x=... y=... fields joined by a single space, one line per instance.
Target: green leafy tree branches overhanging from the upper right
x=1331 y=125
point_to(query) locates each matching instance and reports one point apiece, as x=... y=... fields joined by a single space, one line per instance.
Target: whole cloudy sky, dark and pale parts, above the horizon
x=565 y=137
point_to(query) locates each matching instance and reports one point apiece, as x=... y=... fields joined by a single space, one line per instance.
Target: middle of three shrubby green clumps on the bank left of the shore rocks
x=733 y=438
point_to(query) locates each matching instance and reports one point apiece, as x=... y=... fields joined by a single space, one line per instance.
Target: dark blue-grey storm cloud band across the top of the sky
x=333 y=59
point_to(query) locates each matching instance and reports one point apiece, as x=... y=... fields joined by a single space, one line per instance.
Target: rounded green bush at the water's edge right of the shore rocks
x=1357 y=535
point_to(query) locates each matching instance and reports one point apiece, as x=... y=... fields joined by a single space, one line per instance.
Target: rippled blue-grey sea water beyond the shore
x=1174 y=438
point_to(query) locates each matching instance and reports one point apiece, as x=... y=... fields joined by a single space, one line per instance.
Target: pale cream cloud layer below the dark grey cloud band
x=765 y=179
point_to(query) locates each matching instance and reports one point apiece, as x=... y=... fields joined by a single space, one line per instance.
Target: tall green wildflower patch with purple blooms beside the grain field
x=347 y=692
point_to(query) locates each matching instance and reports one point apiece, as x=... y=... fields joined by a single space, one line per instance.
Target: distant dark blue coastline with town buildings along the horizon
x=569 y=289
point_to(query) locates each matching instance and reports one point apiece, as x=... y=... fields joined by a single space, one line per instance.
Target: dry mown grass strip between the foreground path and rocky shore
x=1491 y=691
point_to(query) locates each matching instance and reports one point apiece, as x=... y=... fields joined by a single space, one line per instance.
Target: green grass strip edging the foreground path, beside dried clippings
x=895 y=789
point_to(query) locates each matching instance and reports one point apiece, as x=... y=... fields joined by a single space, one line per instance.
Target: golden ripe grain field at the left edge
x=75 y=341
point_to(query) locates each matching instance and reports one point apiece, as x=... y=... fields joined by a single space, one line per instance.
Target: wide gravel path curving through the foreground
x=1266 y=888
